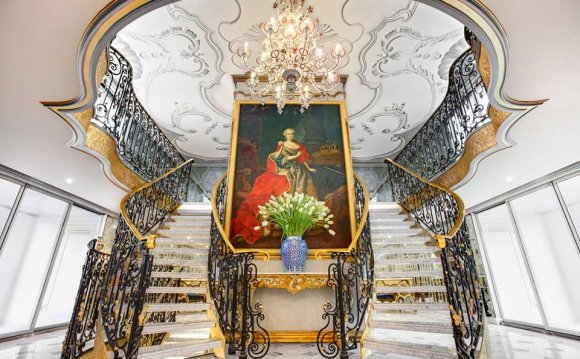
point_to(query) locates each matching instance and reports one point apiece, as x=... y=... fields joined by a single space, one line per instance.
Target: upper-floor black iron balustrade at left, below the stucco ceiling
x=140 y=143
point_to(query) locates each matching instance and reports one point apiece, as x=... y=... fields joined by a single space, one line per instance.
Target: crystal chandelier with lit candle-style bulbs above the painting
x=291 y=64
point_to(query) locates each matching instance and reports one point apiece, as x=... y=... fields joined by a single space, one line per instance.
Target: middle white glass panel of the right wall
x=553 y=256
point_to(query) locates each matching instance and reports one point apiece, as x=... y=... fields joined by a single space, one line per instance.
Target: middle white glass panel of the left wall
x=25 y=258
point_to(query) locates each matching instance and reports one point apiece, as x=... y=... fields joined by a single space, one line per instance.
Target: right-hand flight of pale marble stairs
x=409 y=316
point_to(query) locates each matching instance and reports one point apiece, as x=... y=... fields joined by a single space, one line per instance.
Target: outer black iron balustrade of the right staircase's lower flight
x=441 y=212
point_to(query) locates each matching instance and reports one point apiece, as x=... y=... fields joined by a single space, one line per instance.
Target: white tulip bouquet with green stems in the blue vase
x=295 y=214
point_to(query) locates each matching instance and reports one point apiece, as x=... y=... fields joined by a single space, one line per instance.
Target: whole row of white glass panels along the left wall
x=43 y=246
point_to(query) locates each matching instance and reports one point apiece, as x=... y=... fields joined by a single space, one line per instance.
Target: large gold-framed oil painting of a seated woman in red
x=273 y=153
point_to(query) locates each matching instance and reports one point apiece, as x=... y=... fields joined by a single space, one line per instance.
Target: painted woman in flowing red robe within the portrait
x=287 y=170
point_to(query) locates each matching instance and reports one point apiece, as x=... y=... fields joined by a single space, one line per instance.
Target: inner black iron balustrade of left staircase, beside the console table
x=232 y=278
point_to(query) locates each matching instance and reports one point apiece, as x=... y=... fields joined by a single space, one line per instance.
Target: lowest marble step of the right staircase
x=424 y=351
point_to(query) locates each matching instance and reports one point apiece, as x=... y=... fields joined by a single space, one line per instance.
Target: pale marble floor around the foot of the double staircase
x=508 y=343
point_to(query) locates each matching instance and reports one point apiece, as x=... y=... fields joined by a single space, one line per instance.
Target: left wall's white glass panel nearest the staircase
x=60 y=293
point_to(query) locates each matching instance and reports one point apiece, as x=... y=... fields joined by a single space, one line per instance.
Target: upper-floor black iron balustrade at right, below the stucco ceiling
x=441 y=141
